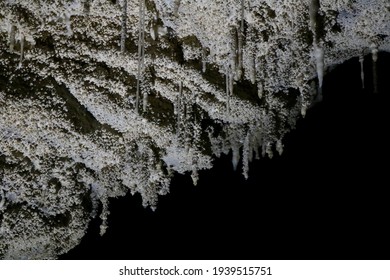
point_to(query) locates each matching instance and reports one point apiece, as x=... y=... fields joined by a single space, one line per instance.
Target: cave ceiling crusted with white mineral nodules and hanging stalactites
x=99 y=97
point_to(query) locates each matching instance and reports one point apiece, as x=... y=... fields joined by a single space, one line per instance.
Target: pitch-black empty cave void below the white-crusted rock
x=324 y=198
